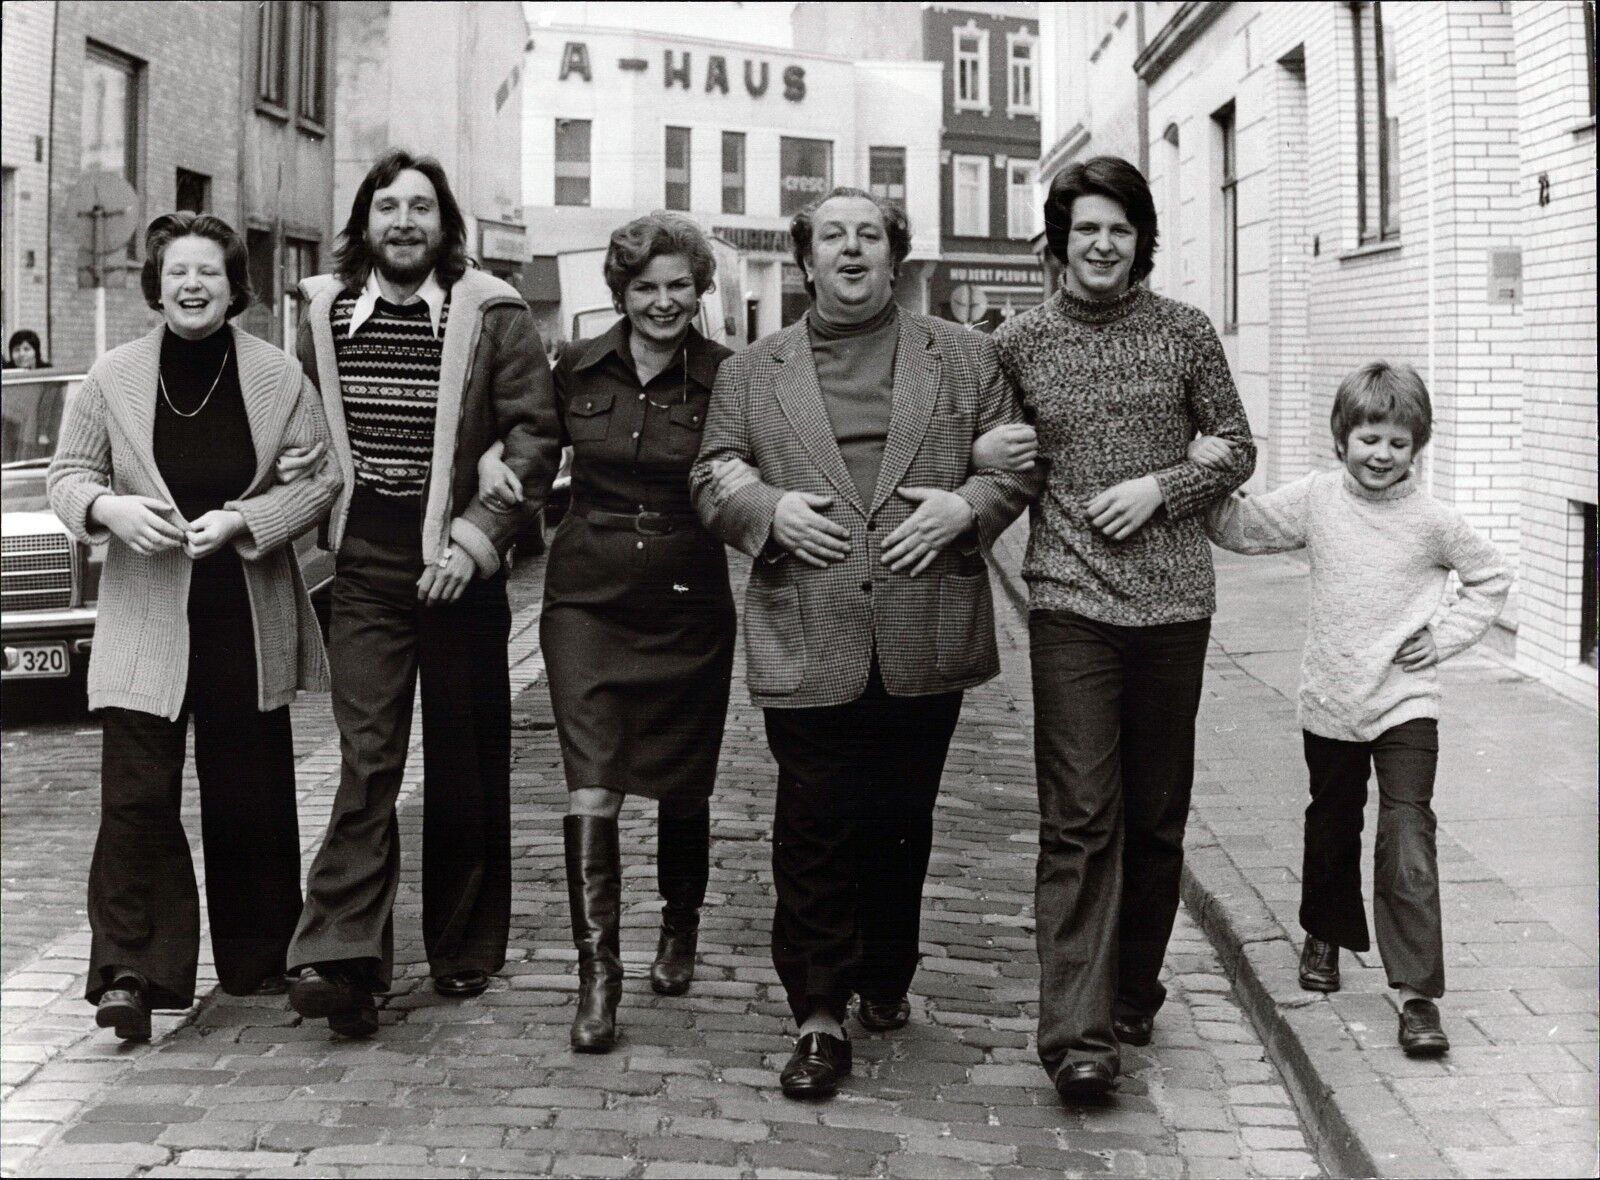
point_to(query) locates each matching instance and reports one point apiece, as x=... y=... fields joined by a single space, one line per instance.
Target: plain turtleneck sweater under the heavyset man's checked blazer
x=855 y=367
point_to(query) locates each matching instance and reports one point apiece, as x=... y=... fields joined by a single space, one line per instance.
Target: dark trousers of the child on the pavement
x=1406 y=859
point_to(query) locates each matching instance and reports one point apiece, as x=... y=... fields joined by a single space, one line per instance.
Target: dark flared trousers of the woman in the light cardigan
x=145 y=907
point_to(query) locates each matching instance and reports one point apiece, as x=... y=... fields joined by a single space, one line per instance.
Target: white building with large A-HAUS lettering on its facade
x=738 y=137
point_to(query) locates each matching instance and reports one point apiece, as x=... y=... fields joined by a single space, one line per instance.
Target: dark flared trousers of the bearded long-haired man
x=380 y=642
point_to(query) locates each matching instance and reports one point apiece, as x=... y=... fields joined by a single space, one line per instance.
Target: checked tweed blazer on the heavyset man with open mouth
x=809 y=632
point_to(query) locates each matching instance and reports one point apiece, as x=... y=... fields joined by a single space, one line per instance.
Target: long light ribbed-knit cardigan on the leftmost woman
x=142 y=631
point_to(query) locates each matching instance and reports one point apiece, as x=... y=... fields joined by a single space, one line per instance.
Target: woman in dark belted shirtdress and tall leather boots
x=639 y=621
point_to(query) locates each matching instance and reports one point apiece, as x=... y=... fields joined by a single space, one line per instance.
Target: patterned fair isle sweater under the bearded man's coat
x=390 y=386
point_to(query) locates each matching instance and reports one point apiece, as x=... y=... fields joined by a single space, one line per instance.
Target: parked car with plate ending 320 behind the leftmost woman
x=50 y=581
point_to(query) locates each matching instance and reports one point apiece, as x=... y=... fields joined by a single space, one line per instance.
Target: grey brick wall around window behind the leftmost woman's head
x=188 y=98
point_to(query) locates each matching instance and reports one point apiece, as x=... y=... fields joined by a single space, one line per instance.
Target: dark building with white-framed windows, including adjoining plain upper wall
x=988 y=146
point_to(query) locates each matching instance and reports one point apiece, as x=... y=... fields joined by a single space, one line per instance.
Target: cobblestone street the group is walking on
x=489 y=1086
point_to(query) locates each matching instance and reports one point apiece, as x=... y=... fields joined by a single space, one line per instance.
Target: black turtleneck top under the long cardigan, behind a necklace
x=207 y=458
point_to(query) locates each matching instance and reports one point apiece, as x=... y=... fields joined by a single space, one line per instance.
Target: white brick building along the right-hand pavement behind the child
x=1343 y=181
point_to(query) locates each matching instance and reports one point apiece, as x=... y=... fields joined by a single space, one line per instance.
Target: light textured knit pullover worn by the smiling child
x=1378 y=570
